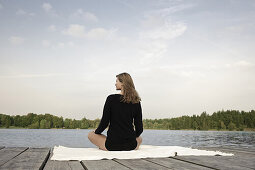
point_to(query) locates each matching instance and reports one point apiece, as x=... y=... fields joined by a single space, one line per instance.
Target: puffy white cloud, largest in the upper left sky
x=77 y=30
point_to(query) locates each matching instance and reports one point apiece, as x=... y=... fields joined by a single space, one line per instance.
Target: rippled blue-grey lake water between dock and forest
x=78 y=138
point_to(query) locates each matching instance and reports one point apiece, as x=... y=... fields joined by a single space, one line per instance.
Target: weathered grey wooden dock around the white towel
x=39 y=158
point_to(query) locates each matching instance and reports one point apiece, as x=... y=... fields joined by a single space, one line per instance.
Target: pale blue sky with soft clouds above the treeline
x=184 y=56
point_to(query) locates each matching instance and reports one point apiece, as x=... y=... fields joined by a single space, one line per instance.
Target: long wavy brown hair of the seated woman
x=129 y=92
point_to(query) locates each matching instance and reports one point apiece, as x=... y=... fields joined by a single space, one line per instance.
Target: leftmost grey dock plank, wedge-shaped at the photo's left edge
x=9 y=153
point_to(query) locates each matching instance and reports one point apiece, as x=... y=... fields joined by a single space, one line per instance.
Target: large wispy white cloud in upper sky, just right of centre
x=156 y=32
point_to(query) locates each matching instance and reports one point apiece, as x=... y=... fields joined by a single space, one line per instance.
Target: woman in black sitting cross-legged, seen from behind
x=120 y=110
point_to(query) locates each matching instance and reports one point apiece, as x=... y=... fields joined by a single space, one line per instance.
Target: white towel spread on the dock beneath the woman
x=62 y=153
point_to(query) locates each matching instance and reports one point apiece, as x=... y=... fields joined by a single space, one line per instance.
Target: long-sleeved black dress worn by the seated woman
x=121 y=135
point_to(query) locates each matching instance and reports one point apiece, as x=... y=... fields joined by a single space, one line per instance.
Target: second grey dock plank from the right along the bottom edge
x=176 y=164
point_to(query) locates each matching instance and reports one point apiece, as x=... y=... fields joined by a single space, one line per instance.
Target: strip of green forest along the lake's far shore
x=220 y=120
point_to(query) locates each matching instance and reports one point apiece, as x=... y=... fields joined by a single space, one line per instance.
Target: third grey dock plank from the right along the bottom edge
x=140 y=164
